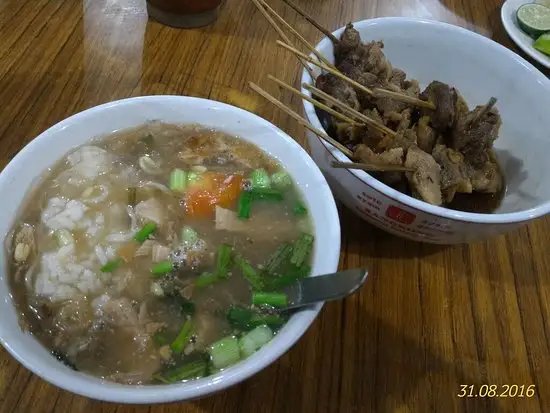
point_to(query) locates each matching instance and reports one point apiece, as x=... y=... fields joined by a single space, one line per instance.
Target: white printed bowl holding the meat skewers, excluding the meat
x=479 y=68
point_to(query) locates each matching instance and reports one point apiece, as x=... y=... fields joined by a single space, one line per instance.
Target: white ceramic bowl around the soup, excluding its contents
x=51 y=145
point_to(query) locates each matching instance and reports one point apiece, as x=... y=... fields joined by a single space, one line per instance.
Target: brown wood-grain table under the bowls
x=429 y=320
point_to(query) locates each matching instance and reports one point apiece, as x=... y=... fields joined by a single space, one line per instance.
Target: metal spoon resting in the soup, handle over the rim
x=326 y=287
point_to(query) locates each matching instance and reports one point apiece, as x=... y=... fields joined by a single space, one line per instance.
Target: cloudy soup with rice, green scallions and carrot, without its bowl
x=137 y=259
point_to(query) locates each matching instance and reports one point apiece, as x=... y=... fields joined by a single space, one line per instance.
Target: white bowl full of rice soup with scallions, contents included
x=148 y=244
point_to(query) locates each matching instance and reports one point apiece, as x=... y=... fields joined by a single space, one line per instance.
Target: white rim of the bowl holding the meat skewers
x=410 y=202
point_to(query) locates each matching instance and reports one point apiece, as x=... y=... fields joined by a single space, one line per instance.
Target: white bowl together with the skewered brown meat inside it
x=473 y=167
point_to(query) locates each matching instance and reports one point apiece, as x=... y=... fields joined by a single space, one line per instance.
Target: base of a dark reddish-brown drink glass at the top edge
x=184 y=13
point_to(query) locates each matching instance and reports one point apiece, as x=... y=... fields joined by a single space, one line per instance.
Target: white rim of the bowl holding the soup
x=89 y=386
